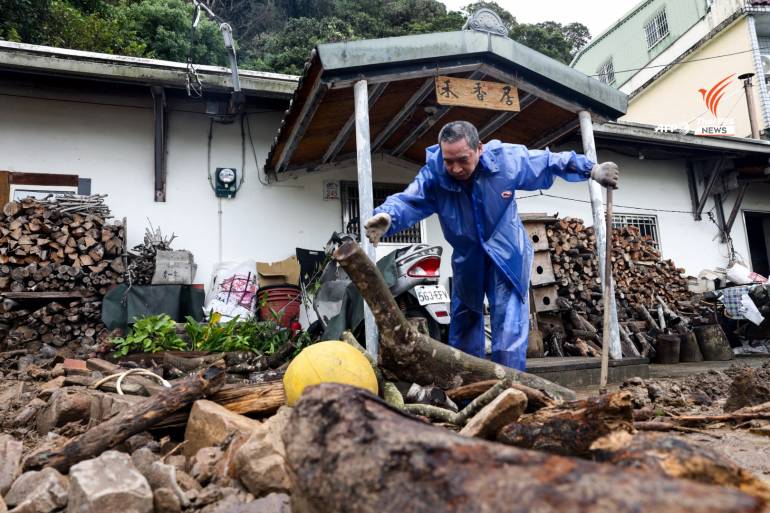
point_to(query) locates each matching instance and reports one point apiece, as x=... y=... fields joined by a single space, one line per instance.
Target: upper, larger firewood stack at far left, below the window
x=49 y=246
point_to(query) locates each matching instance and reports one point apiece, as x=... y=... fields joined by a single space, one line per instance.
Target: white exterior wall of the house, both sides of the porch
x=112 y=145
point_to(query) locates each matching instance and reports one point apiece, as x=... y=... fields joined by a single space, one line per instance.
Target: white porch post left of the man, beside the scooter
x=365 y=196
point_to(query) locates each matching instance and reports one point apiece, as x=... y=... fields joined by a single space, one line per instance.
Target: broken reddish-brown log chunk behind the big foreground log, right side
x=569 y=429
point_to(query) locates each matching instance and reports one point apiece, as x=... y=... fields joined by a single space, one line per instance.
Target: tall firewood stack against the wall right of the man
x=651 y=294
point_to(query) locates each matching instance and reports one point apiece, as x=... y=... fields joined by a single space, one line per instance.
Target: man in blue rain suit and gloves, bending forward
x=472 y=186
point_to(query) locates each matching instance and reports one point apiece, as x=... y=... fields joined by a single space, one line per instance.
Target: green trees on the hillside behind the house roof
x=273 y=35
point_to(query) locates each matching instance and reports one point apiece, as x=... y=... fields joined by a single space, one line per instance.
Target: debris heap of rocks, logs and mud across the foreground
x=482 y=437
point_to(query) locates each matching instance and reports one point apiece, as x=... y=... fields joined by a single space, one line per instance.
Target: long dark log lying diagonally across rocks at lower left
x=119 y=428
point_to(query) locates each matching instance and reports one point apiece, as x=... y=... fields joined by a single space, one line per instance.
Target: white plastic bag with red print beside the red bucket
x=233 y=290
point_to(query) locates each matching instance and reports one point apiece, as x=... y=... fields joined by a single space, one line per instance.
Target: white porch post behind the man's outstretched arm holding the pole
x=597 y=206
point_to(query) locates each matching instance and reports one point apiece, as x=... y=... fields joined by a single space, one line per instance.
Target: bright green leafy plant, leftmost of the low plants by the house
x=150 y=334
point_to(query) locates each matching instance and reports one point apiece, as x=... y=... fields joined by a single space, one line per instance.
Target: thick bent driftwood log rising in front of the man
x=415 y=357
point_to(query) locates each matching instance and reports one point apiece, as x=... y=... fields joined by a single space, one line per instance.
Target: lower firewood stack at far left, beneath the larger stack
x=76 y=323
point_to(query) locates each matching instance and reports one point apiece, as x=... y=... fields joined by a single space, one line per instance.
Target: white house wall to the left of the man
x=113 y=146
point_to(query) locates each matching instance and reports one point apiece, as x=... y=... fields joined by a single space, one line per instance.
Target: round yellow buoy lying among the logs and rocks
x=332 y=361
